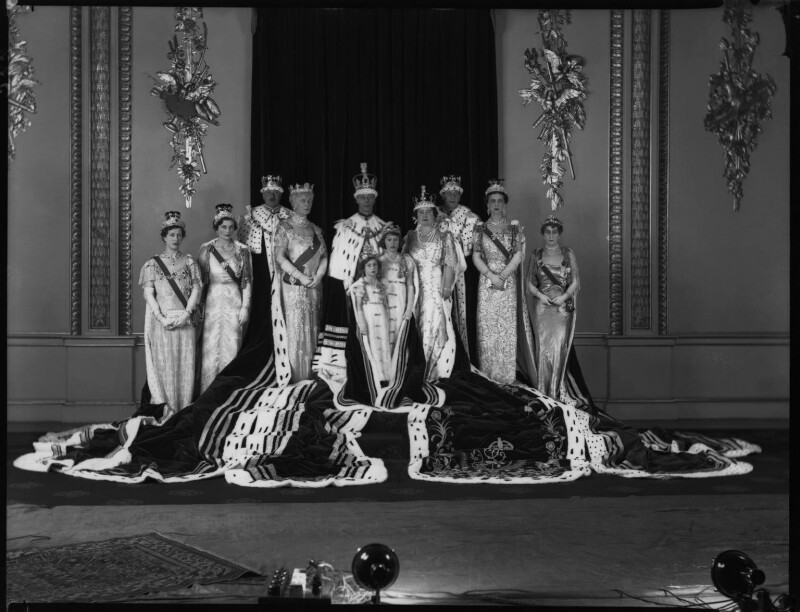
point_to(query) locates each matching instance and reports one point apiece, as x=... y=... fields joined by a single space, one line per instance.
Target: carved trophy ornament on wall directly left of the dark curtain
x=186 y=90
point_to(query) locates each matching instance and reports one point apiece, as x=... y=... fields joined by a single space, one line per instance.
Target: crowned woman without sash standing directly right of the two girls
x=434 y=253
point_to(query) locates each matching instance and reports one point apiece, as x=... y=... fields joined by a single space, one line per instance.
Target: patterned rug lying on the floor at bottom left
x=111 y=570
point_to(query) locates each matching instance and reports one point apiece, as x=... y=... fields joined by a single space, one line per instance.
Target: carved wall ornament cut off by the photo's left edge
x=20 y=84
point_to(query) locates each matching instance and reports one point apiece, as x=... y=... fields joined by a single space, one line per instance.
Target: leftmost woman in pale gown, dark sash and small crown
x=169 y=334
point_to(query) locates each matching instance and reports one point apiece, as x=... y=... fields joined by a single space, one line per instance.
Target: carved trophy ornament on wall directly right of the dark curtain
x=559 y=88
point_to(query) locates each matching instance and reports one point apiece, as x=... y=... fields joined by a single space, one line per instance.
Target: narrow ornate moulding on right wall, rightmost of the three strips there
x=663 y=167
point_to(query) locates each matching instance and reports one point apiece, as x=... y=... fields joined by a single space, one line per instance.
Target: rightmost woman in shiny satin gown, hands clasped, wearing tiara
x=553 y=282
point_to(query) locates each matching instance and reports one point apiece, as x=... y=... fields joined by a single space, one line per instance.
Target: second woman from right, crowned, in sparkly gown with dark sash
x=498 y=248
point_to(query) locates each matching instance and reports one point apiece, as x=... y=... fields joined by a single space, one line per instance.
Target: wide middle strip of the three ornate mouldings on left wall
x=99 y=251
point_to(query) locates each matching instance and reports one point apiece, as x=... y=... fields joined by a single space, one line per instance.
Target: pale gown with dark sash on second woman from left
x=222 y=334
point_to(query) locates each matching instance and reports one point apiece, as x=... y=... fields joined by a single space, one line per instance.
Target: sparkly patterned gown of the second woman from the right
x=497 y=308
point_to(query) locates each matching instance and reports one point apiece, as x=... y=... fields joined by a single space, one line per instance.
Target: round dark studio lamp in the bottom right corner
x=736 y=576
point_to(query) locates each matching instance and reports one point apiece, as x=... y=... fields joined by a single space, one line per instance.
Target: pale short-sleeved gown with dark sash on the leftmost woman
x=169 y=353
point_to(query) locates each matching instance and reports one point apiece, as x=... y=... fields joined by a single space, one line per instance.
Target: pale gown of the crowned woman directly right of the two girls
x=432 y=312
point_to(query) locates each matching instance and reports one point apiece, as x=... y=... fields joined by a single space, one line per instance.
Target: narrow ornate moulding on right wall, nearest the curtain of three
x=615 y=211
